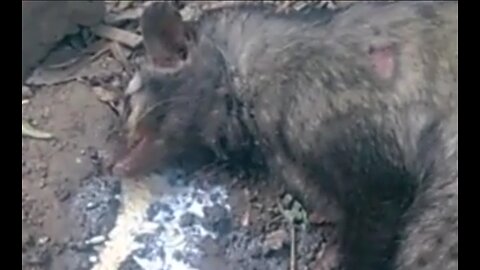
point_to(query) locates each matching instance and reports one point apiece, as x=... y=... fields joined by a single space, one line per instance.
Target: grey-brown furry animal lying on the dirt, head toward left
x=354 y=109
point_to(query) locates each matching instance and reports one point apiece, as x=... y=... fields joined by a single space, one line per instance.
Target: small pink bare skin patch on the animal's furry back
x=383 y=60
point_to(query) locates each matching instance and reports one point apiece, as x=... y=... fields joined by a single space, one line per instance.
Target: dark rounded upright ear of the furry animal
x=165 y=36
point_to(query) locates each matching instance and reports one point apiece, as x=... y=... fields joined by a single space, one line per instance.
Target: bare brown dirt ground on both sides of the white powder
x=68 y=196
